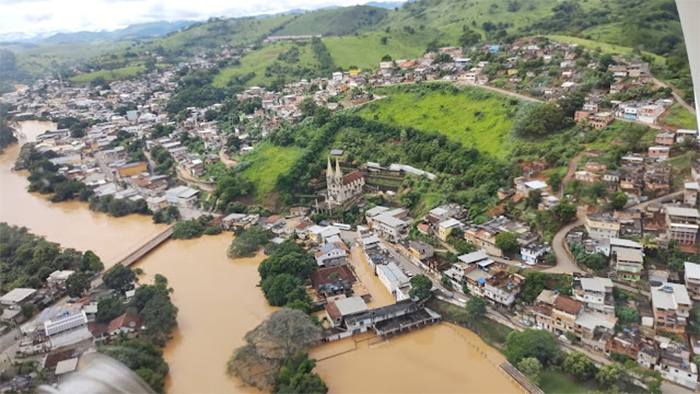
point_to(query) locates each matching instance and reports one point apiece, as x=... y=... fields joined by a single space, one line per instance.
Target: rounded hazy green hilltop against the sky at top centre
x=335 y=22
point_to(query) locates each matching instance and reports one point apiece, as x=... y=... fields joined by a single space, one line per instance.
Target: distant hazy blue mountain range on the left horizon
x=140 y=30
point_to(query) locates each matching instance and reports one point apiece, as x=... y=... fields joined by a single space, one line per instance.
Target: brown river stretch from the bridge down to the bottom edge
x=218 y=301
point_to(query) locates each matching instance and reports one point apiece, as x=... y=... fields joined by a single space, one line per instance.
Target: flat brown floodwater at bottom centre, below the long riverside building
x=437 y=359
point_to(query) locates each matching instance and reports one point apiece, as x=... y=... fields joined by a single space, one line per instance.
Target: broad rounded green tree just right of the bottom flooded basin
x=531 y=343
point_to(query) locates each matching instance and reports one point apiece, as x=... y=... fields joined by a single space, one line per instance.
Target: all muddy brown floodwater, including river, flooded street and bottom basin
x=219 y=302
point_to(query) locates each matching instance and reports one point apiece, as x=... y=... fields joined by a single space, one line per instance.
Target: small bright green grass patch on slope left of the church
x=268 y=163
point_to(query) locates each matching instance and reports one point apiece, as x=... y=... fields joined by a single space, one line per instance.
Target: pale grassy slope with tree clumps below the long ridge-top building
x=259 y=60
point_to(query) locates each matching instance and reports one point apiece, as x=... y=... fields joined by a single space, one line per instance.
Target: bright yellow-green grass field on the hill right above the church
x=473 y=116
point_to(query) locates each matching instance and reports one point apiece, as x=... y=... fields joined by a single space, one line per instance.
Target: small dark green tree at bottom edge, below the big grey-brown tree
x=295 y=377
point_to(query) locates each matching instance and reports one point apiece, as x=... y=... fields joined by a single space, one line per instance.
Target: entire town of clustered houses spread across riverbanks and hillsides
x=626 y=240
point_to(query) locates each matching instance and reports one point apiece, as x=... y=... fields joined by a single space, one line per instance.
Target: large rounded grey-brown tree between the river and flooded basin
x=280 y=337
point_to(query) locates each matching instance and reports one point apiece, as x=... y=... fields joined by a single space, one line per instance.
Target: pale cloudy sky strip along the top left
x=32 y=17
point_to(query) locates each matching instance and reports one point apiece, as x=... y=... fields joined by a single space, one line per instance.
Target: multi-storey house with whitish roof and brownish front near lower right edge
x=671 y=306
